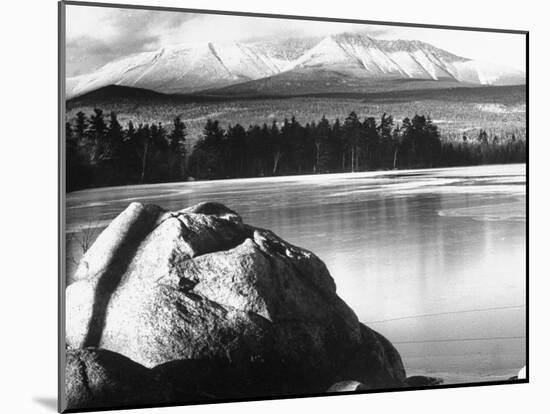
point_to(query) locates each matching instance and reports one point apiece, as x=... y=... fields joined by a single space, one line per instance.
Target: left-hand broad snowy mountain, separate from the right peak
x=187 y=68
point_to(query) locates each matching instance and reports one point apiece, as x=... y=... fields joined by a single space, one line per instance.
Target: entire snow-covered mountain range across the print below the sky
x=341 y=62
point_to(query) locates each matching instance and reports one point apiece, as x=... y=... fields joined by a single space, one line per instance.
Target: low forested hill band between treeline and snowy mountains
x=500 y=109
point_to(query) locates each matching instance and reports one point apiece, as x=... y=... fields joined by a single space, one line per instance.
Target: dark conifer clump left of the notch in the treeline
x=103 y=153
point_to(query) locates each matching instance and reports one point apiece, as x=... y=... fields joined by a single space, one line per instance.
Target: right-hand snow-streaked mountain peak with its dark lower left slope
x=357 y=63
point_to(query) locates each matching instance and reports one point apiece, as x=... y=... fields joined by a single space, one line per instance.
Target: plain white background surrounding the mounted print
x=29 y=174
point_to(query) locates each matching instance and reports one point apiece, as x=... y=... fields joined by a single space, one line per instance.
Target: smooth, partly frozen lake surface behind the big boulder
x=435 y=259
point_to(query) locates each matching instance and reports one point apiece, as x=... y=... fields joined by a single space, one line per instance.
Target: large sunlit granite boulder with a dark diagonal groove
x=209 y=300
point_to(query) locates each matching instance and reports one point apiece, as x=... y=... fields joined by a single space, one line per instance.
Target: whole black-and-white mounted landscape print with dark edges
x=256 y=206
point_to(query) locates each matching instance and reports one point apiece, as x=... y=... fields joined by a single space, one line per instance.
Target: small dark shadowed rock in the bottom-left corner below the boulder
x=97 y=378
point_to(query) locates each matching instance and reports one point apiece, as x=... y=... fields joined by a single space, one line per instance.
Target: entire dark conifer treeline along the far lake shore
x=101 y=152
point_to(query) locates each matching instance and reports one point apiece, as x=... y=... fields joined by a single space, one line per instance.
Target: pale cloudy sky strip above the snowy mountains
x=98 y=35
